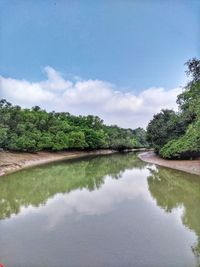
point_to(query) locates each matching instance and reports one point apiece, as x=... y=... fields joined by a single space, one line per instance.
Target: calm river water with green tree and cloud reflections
x=103 y=211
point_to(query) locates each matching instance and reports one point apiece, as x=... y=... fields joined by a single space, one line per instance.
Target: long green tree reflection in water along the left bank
x=35 y=186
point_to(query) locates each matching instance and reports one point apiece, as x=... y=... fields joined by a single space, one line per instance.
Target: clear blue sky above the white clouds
x=135 y=45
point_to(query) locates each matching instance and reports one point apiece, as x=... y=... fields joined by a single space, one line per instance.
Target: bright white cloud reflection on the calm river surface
x=132 y=185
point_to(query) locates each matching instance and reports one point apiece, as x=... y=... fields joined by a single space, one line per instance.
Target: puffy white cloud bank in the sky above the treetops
x=89 y=97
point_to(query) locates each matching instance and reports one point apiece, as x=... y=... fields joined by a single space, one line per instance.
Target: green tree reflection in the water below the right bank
x=172 y=189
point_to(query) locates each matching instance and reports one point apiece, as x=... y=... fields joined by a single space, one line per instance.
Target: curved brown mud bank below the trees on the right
x=190 y=166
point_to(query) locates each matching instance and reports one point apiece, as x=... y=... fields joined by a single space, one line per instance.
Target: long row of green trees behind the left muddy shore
x=36 y=129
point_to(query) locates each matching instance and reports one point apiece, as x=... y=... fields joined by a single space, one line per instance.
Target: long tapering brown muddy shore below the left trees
x=11 y=162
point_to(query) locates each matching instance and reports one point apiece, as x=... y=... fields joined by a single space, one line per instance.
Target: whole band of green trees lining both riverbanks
x=172 y=134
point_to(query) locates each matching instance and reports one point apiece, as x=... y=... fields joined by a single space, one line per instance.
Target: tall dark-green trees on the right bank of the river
x=177 y=134
